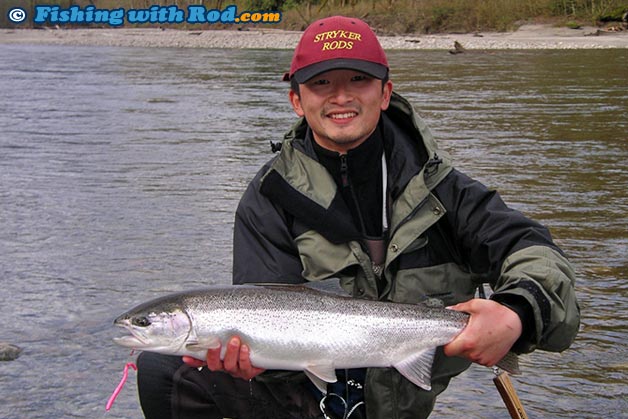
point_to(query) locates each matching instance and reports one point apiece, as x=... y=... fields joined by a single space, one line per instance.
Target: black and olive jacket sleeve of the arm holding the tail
x=527 y=271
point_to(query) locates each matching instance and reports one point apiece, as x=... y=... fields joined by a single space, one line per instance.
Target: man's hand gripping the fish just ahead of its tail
x=492 y=330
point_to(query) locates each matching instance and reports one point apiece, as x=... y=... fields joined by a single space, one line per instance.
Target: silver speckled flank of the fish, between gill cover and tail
x=288 y=328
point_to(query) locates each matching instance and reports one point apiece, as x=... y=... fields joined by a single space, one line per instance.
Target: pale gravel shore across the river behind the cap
x=526 y=37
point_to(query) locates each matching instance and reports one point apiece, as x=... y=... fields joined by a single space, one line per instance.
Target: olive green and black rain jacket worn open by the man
x=447 y=235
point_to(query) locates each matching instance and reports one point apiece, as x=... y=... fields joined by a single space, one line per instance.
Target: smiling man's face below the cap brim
x=342 y=107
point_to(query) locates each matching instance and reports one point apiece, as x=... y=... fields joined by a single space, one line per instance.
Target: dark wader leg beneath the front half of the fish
x=170 y=389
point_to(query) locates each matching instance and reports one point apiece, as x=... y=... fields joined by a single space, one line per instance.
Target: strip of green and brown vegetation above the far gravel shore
x=386 y=16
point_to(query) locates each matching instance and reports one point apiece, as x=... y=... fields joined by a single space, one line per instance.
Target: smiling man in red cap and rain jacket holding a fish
x=360 y=191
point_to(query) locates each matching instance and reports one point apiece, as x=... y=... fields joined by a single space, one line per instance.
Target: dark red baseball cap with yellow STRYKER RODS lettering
x=337 y=42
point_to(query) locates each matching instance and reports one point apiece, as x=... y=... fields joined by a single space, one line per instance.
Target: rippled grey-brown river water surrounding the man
x=121 y=168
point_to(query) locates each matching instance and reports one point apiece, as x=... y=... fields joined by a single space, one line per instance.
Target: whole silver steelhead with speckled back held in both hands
x=296 y=328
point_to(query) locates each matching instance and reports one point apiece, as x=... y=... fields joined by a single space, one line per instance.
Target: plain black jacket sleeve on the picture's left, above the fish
x=263 y=248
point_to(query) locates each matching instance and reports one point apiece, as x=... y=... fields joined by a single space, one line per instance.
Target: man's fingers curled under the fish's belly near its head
x=237 y=360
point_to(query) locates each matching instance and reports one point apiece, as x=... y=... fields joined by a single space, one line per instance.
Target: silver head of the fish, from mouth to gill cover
x=155 y=328
